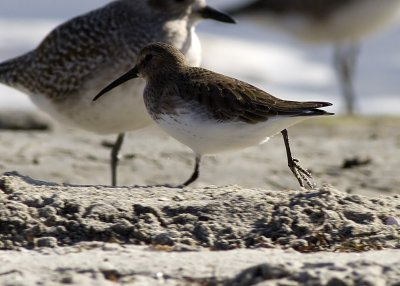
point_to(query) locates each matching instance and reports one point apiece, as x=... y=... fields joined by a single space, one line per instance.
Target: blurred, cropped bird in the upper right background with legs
x=344 y=23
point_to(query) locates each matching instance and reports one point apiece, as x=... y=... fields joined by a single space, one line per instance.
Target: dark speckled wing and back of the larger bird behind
x=78 y=50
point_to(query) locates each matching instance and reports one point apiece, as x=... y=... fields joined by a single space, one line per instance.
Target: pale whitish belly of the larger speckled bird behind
x=120 y=110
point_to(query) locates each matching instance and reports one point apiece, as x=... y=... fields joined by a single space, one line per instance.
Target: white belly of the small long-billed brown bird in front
x=204 y=136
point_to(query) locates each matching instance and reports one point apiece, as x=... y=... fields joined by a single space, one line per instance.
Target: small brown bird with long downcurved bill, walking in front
x=212 y=113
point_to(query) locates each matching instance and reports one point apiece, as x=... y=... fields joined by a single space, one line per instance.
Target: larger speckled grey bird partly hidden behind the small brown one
x=80 y=56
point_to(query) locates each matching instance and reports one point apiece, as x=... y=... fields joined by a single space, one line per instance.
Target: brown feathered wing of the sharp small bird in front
x=227 y=98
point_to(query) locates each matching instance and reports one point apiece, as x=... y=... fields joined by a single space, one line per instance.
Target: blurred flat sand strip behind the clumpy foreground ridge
x=355 y=155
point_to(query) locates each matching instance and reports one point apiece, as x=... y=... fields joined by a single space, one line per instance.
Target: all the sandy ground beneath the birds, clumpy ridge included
x=245 y=221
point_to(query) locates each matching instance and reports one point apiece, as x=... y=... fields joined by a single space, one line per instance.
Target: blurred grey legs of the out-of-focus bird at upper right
x=345 y=58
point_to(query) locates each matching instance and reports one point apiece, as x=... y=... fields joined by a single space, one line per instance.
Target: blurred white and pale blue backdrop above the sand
x=265 y=57
